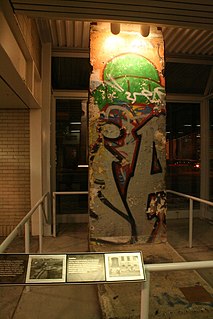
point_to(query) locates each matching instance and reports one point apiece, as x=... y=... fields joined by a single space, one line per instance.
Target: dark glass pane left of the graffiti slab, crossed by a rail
x=71 y=164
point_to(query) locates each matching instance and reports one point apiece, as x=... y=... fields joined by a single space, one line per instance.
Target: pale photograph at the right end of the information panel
x=122 y=266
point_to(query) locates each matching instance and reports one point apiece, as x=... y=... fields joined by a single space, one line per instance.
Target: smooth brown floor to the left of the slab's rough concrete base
x=52 y=302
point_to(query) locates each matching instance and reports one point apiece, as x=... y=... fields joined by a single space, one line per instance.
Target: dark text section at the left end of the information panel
x=13 y=268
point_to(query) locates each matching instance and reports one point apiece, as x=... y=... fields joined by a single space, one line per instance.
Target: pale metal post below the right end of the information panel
x=145 y=297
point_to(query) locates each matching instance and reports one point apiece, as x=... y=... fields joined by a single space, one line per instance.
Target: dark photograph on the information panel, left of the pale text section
x=46 y=269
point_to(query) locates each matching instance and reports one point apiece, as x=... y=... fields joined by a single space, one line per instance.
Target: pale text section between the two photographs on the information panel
x=85 y=267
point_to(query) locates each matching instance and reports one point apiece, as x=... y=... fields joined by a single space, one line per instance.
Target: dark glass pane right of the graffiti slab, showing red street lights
x=183 y=152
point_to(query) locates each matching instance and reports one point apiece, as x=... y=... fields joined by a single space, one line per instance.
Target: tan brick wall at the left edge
x=14 y=168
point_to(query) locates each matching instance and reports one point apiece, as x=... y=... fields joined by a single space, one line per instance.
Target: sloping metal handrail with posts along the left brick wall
x=26 y=222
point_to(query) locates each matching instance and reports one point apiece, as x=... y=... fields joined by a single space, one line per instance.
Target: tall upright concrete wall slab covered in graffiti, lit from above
x=127 y=135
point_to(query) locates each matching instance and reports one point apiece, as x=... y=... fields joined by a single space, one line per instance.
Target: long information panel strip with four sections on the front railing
x=79 y=268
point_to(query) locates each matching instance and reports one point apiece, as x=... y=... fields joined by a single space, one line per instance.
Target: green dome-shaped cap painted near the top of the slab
x=128 y=78
